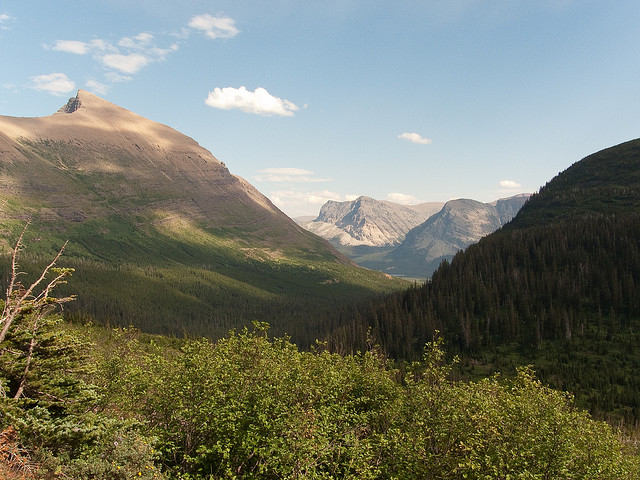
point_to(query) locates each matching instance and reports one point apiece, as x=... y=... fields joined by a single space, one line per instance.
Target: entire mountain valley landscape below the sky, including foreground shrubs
x=202 y=333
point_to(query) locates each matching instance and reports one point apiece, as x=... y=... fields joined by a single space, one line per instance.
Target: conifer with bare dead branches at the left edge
x=46 y=397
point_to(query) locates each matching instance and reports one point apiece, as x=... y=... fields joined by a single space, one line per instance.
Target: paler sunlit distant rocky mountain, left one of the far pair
x=368 y=222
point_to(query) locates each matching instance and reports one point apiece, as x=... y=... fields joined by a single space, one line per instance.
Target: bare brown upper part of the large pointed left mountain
x=93 y=159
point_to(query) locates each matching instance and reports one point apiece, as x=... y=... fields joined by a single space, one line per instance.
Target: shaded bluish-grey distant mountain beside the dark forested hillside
x=459 y=224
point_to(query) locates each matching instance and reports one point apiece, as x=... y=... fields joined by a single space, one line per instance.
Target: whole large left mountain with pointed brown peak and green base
x=161 y=234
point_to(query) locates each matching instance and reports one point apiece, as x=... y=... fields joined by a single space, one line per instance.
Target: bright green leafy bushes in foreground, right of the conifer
x=252 y=407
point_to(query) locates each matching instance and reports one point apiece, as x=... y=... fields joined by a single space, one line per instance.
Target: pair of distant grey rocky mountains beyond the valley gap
x=409 y=240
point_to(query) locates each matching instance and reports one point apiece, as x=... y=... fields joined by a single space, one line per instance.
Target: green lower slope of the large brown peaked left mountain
x=184 y=279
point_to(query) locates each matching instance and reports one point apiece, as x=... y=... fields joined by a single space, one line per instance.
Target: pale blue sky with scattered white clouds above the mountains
x=408 y=101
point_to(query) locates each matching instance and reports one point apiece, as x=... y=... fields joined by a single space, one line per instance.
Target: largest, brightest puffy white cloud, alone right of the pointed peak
x=259 y=102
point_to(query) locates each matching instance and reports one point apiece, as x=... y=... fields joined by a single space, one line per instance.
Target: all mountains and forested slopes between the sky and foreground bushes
x=164 y=237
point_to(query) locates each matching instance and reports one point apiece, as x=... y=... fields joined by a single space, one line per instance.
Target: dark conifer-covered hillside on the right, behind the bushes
x=558 y=287
